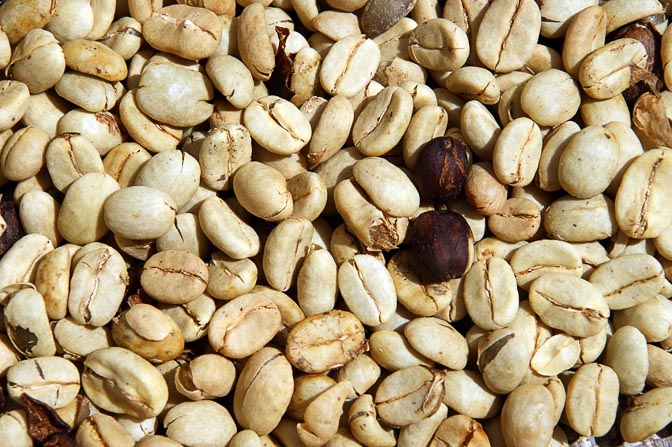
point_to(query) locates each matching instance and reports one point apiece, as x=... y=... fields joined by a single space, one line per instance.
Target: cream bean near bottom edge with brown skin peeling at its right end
x=409 y=395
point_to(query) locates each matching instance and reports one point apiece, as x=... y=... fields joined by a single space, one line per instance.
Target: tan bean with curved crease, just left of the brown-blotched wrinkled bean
x=244 y=325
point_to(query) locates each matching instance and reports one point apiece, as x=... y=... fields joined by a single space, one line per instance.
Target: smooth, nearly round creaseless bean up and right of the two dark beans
x=550 y=97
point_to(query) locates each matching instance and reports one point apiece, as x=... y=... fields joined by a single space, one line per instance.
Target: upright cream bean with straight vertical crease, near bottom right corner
x=592 y=399
